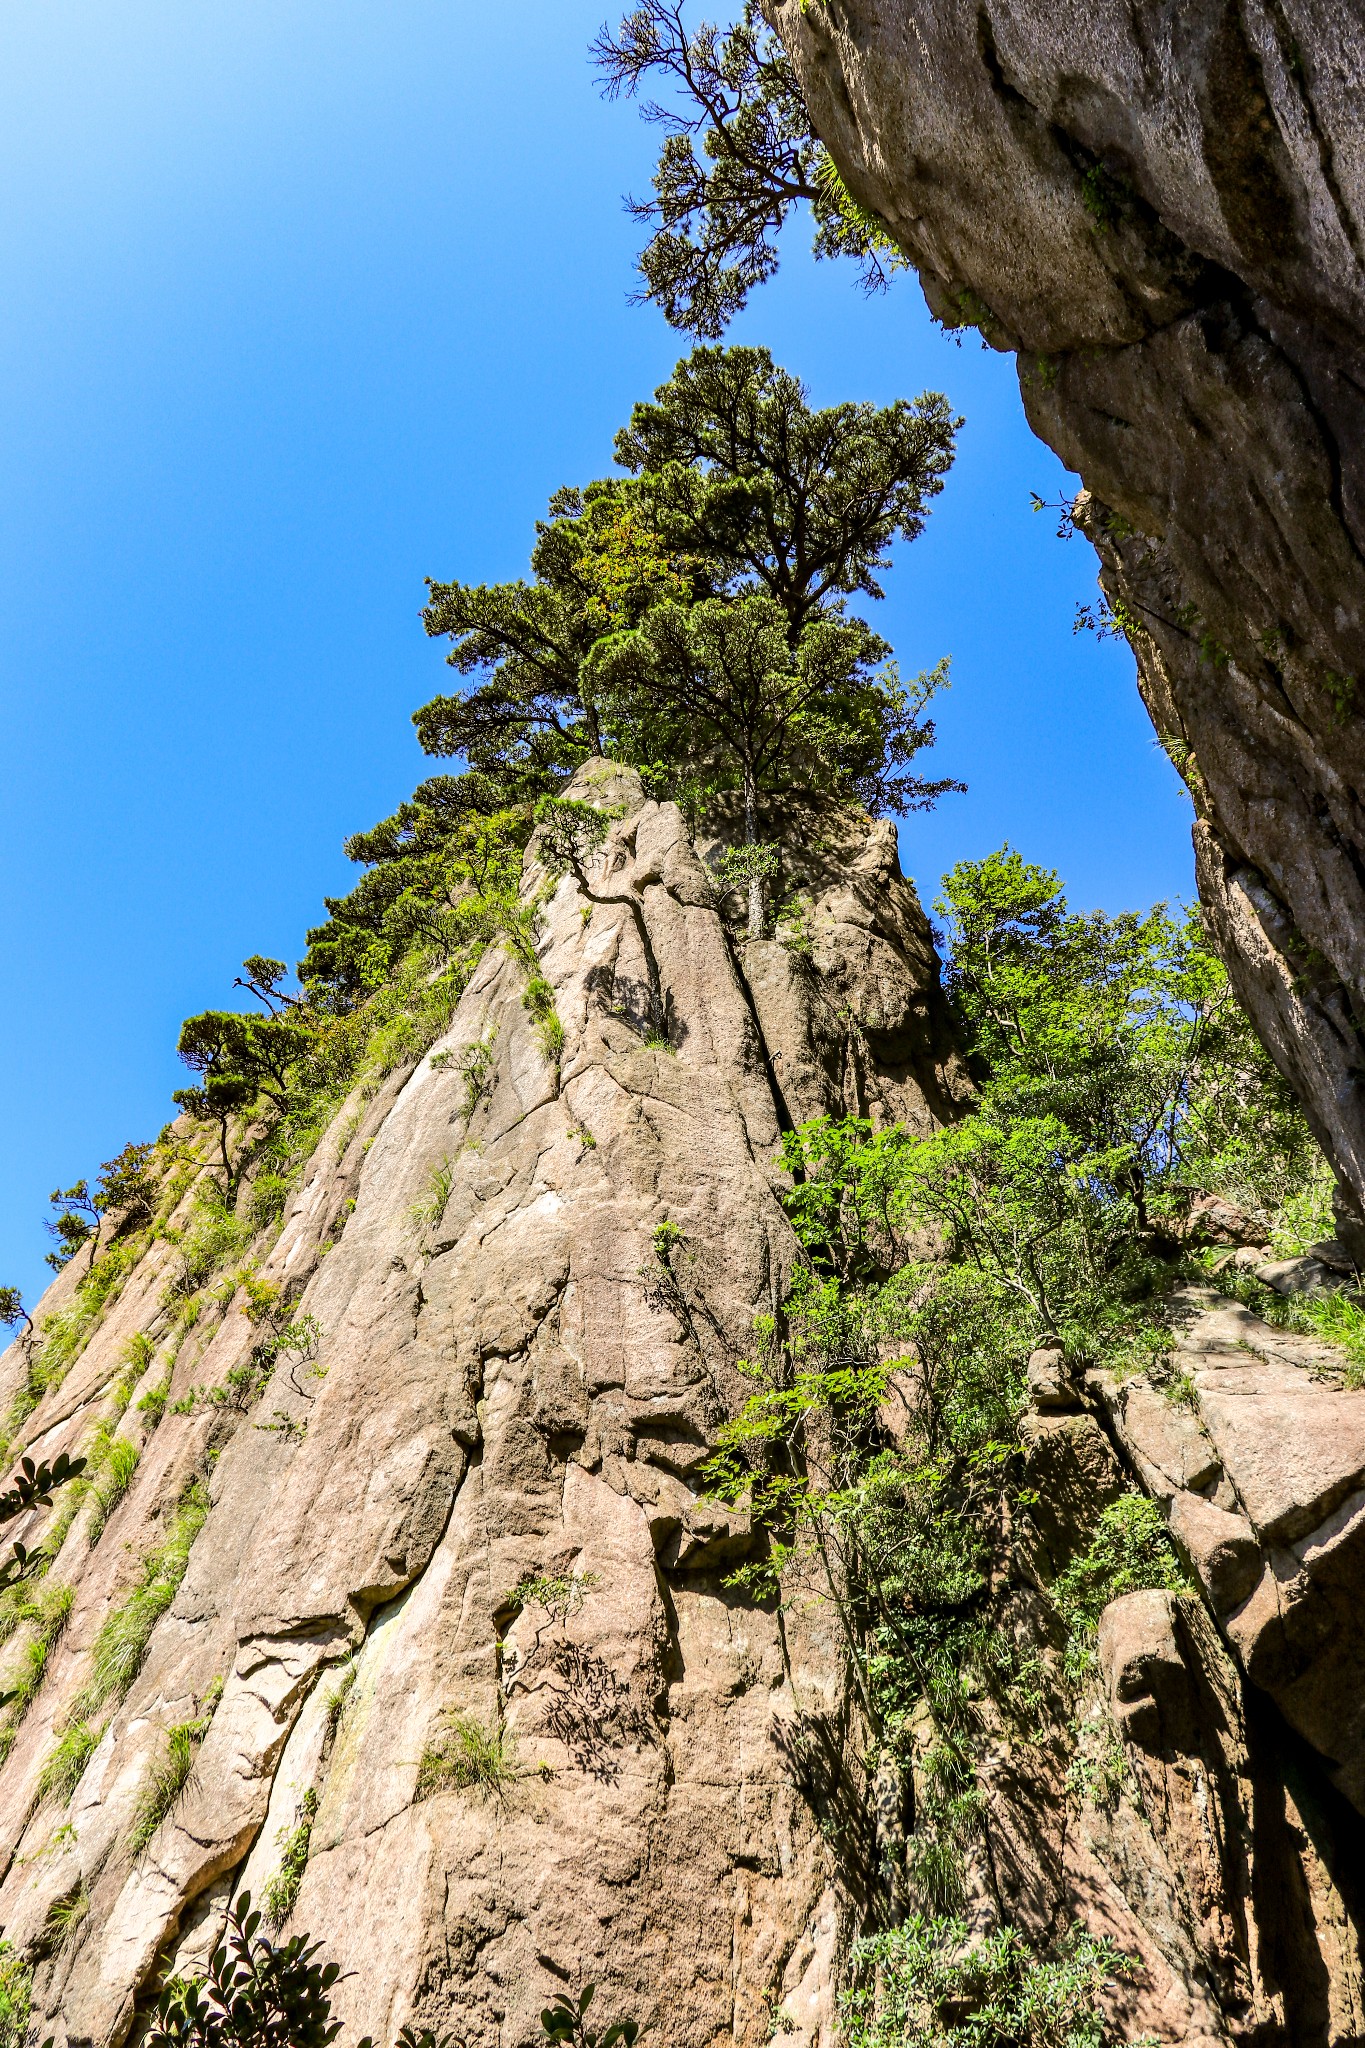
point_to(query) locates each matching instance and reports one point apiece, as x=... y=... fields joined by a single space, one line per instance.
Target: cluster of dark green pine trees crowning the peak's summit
x=738 y=497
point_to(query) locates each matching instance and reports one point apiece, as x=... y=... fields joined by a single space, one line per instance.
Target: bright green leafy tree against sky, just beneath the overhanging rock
x=1129 y=1035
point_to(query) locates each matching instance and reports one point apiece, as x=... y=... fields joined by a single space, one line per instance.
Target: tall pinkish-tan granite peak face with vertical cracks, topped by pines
x=466 y=1510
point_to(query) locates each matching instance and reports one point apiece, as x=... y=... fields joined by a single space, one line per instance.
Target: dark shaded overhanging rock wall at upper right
x=1163 y=212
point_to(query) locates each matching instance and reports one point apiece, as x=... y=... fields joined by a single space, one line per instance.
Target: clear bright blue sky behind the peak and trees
x=308 y=300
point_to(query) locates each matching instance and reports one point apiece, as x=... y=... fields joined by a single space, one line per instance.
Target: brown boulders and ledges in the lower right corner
x=1210 y=1814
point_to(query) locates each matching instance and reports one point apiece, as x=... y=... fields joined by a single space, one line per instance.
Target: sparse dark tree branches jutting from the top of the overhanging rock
x=738 y=159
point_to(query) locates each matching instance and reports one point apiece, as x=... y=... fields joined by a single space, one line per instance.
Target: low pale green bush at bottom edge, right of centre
x=934 y=1986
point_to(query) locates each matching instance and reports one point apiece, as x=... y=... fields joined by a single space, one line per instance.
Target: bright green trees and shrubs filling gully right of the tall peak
x=881 y=1451
